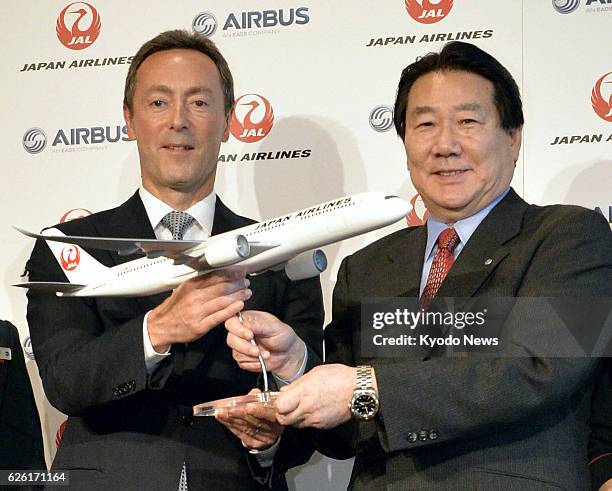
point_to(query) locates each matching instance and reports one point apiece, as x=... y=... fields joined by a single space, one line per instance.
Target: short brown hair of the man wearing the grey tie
x=180 y=39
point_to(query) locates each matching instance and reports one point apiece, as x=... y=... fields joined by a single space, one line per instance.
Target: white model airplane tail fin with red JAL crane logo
x=77 y=264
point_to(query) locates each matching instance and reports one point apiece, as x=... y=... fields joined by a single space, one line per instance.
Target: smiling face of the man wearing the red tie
x=459 y=157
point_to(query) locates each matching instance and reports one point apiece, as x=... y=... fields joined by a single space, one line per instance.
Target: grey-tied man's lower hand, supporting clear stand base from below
x=255 y=424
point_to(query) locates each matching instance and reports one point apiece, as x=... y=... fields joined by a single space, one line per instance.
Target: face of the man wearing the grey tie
x=178 y=122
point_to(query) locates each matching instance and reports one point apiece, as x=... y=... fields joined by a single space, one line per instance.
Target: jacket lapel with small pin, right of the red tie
x=485 y=249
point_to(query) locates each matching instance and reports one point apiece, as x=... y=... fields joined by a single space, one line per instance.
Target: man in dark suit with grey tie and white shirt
x=127 y=371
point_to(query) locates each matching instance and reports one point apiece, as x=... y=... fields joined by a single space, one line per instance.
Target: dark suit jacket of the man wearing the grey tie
x=126 y=431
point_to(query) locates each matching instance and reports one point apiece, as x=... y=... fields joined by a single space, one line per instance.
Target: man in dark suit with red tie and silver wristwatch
x=426 y=420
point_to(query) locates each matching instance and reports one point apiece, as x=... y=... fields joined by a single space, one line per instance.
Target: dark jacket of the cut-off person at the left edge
x=20 y=436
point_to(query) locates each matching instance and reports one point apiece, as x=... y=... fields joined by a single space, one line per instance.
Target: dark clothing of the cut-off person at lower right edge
x=600 y=441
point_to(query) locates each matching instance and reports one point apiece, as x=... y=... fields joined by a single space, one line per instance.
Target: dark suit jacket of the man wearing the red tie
x=519 y=422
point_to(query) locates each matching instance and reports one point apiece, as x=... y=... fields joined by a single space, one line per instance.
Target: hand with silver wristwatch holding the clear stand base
x=318 y=399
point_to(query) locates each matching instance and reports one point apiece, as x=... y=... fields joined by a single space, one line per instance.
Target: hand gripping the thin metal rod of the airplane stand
x=281 y=348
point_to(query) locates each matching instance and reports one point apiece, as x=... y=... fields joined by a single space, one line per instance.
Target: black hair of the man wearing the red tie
x=457 y=55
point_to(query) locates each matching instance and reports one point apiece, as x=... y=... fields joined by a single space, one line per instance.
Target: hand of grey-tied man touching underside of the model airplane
x=195 y=307
